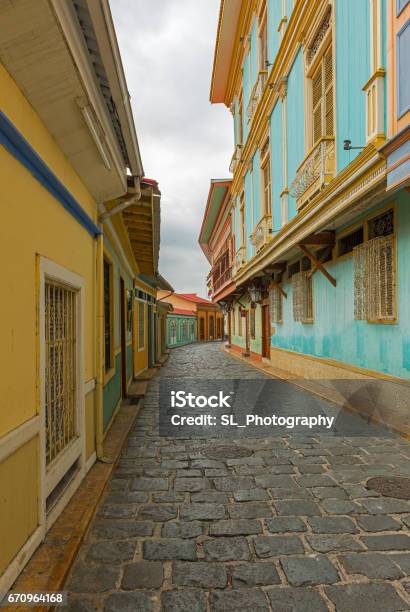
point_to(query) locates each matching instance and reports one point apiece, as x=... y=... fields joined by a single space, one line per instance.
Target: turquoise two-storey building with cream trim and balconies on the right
x=320 y=222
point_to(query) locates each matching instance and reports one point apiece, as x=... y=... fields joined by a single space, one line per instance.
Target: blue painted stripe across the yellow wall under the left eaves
x=21 y=149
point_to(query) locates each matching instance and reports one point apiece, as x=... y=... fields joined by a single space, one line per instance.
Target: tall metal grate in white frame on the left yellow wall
x=60 y=367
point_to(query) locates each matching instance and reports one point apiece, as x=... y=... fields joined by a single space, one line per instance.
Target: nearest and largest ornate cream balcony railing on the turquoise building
x=316 y=170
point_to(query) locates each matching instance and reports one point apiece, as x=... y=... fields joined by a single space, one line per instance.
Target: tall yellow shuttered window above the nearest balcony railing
x=322 y=98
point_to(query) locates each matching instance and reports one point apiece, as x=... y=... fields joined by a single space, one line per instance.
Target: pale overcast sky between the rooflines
x=167 y=50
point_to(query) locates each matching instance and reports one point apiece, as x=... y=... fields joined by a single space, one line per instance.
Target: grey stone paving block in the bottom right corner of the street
x=376 y=597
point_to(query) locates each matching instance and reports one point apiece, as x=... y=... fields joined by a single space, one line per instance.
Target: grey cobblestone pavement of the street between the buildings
x=290 y=527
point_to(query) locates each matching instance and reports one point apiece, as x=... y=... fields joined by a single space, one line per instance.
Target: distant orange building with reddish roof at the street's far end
x=209 y=316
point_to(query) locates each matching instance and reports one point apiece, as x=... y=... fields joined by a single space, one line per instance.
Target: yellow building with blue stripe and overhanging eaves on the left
x=79 y=241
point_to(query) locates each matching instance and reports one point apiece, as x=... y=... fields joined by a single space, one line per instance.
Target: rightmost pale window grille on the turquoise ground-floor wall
x=374 y=280
